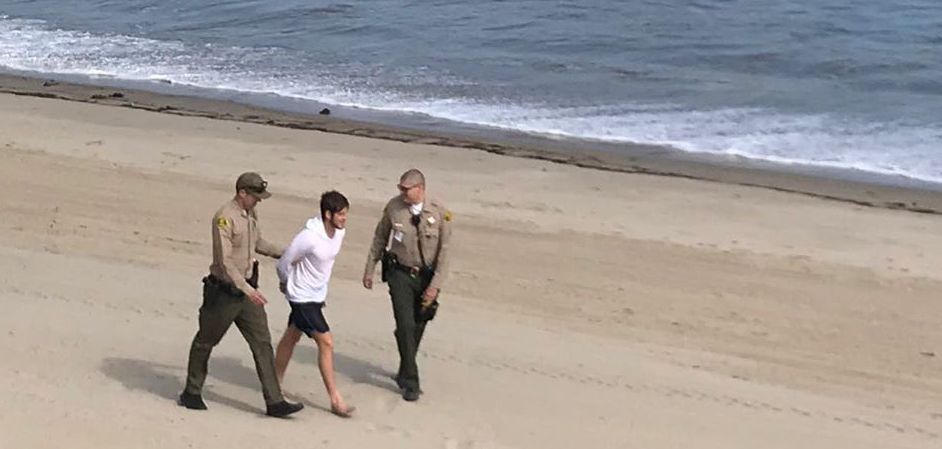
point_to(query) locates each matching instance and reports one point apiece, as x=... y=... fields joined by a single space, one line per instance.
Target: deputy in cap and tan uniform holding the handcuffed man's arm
x=231 y=295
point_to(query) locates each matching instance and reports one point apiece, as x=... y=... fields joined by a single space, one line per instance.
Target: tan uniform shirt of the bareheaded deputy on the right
x=396 y=228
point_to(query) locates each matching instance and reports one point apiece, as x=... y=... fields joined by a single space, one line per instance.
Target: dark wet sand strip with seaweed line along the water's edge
x=641 y=159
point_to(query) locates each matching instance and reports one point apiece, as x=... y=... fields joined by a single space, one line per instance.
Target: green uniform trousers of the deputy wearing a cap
x=221 y=307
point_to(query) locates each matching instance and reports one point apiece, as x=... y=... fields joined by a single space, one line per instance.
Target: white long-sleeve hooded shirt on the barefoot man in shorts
x=306 y=265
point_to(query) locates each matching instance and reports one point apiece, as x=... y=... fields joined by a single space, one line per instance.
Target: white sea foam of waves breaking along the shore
x=821 y=140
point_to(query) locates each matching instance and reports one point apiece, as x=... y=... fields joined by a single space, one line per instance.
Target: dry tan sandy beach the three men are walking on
x=586 y=307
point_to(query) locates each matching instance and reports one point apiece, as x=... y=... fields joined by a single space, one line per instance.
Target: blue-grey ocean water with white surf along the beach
x=837 y=83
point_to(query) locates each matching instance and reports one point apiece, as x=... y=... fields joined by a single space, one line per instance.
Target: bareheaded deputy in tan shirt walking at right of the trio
x=412 y=240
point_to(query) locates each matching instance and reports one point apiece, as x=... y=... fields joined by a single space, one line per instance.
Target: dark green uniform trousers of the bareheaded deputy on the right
x=406 y=293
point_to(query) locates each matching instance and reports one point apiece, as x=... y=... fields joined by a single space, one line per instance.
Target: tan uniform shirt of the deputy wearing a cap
x=236 y=239
